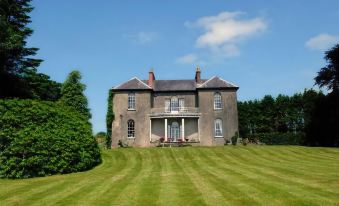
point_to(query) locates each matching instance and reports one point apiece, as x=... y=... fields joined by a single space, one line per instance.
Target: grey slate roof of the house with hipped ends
x=176 y=85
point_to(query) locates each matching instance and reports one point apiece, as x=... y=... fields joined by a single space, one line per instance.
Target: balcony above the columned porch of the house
x=174 y=112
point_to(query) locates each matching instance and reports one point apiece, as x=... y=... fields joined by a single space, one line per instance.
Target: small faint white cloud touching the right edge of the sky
x=322 y=42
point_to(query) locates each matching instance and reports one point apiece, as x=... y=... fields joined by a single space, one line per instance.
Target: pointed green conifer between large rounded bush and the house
x=72 y=94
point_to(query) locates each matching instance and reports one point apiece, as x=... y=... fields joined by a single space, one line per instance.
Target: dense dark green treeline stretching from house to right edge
x=308 y=118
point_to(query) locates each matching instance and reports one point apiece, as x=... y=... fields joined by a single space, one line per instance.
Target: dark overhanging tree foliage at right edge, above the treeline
x=328 y=76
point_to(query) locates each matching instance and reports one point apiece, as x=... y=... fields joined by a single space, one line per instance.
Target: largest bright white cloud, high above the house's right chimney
x=223 y=32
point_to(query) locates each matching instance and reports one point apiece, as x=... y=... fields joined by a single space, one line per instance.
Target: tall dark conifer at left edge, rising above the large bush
x=15 y=56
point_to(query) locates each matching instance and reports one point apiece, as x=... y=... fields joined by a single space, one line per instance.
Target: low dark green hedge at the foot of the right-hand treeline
x=276 y=138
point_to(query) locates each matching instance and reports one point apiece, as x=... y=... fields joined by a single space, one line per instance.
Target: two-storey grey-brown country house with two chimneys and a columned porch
x=198 y=111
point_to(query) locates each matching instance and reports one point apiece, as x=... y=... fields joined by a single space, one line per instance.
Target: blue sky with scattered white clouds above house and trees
x=264 y=47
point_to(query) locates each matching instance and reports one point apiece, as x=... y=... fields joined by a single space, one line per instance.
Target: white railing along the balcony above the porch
x=175 y=111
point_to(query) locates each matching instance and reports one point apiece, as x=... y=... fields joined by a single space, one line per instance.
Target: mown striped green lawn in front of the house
x=251 y=175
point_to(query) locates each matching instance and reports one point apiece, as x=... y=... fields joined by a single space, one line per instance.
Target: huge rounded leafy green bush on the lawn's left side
x=44 y=138
